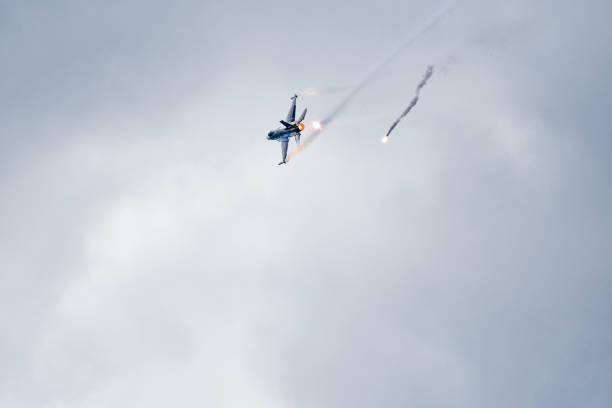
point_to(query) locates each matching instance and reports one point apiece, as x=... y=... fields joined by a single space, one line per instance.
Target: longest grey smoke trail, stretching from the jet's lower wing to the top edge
x=429 y=23
